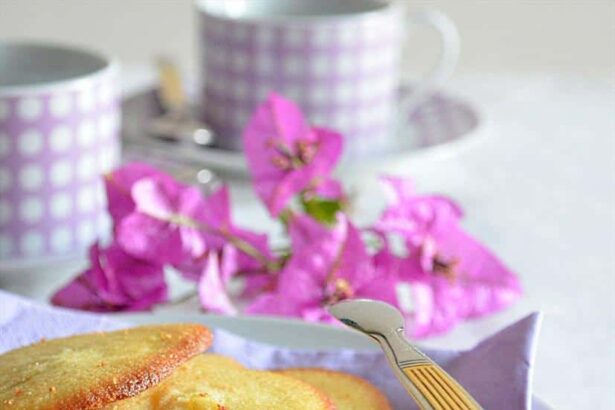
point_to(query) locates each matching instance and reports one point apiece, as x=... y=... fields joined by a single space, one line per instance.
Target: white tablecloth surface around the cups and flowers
x=539 y=190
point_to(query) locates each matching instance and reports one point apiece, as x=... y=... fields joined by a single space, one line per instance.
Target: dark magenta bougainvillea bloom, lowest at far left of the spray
x=115 y=281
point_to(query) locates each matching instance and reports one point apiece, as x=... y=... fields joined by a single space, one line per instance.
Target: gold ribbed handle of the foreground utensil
x=436 y=389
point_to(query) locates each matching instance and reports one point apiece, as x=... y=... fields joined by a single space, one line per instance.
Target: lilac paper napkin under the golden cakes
x=497 y=371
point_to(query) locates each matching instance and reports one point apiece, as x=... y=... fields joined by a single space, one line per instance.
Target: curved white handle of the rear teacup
x=442 y=70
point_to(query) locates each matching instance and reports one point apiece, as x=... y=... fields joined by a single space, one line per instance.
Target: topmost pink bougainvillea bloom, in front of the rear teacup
x=285 y=155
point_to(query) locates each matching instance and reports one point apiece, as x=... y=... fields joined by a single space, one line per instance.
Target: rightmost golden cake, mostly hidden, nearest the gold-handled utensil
x=346 y=391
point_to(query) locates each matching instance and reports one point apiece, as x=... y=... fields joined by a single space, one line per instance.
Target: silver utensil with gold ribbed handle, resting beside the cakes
x=428 y=384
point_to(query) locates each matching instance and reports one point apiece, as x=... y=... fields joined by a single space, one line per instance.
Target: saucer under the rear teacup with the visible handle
x=441 y=126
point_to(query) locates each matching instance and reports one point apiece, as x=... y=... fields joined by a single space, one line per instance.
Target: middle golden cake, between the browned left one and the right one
x=207 y=382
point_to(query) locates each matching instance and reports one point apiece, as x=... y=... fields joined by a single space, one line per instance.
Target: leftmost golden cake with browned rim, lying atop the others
x=91 y=370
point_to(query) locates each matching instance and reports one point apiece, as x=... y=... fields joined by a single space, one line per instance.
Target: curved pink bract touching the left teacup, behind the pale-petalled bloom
x=118 y=187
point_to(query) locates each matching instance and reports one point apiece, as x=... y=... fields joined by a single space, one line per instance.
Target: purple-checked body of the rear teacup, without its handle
x=343 y=72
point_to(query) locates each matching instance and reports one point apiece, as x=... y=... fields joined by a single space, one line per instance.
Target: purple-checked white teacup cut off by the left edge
x=59 y=131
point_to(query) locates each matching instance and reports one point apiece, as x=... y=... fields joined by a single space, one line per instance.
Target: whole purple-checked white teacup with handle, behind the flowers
x=340 y=60
